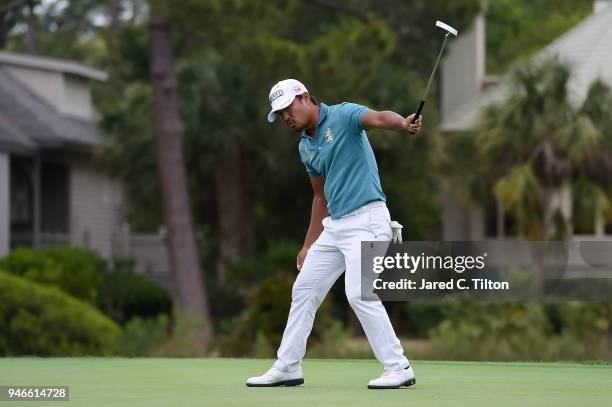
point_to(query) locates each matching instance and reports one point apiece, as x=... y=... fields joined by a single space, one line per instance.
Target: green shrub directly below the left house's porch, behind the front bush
x=73 y=270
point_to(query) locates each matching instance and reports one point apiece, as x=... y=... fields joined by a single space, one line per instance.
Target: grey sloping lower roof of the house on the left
x=27 y=122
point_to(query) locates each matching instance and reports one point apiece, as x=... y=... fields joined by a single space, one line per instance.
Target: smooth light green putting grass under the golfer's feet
x=220 y=382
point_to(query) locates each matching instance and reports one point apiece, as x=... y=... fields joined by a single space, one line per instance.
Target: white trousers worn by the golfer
x=337 y=249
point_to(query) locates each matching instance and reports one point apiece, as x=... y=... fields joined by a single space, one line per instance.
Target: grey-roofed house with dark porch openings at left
x=51 y=192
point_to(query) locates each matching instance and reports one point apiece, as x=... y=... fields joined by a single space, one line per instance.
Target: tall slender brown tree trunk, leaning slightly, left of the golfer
x=190 y=291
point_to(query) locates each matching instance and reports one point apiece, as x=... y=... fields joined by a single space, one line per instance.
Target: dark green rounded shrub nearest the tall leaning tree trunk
x=124 y=295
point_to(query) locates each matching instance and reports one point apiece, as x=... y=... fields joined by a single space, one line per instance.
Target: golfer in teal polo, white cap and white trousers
x=348 y=207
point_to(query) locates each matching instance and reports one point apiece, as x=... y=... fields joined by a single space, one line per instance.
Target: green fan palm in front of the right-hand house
x=537 y=149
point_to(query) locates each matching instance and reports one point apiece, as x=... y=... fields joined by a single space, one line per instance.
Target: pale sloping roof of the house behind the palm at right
x=585 y=48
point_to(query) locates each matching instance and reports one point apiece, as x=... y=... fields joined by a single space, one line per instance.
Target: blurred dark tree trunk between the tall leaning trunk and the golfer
x=234 y=214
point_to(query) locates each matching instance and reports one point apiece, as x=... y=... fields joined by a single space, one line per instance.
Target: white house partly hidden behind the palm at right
x=587 y=48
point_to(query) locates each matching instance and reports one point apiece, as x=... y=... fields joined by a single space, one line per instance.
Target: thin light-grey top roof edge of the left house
x=51 y=64
